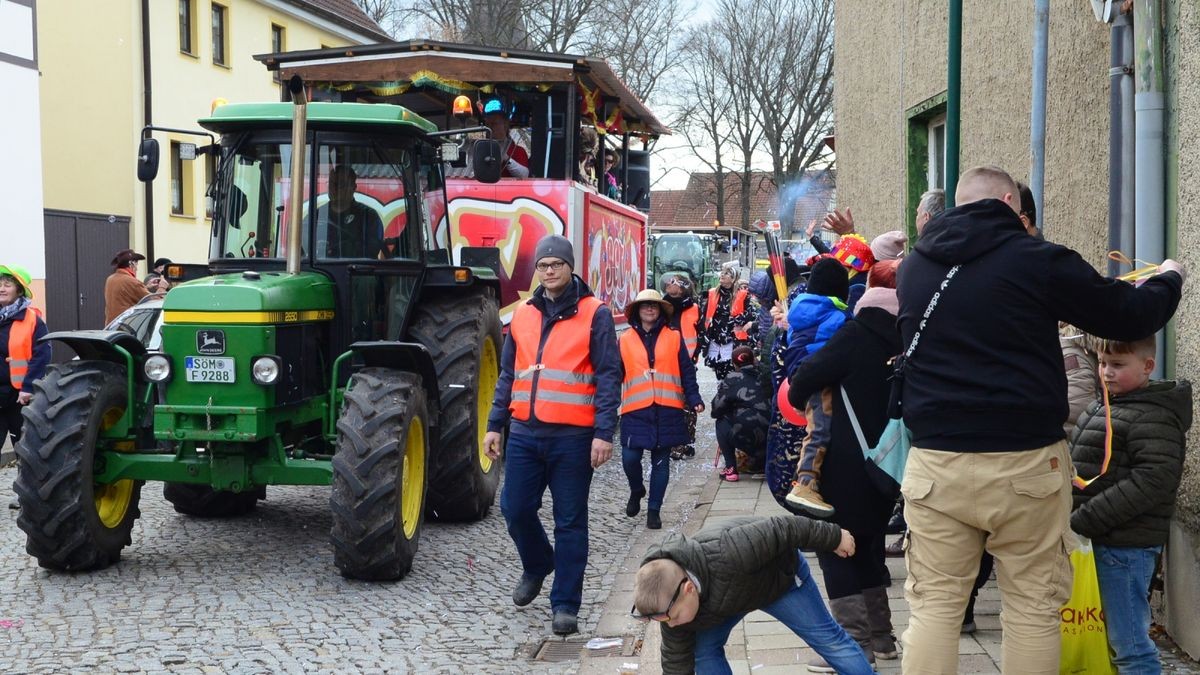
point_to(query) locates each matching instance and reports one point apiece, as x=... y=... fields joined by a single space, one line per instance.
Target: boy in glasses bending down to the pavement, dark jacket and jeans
x=700 y=588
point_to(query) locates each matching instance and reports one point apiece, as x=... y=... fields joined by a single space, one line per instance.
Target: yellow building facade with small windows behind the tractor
x=109 y=69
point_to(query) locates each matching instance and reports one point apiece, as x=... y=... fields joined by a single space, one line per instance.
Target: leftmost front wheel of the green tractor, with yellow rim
x=71 y=523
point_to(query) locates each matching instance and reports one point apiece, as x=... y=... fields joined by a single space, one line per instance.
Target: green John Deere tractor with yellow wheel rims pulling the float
x=334 y=345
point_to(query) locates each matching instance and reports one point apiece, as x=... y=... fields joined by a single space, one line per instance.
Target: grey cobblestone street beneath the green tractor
x=261 y=594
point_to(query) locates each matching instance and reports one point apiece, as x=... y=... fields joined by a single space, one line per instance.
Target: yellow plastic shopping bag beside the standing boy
x=1085 y=644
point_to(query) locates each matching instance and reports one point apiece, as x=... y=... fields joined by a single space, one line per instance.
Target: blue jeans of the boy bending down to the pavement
x=802 y=611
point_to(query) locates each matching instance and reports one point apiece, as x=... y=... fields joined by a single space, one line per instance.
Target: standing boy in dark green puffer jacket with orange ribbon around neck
x=1126 y=509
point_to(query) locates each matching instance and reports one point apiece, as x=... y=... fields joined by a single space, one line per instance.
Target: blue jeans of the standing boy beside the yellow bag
x=1125 y=577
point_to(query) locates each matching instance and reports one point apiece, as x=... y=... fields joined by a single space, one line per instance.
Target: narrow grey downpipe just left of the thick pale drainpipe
x=1121 y=140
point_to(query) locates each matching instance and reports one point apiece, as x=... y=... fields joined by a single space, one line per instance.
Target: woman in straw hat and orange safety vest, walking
x=659 y=384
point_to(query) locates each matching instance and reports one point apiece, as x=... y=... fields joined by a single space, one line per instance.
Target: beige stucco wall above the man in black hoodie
x=892 y=56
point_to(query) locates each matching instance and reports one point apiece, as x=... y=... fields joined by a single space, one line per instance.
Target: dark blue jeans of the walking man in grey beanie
x=565 y=465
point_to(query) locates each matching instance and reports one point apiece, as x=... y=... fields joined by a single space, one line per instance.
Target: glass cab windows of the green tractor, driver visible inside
x=358 y=201
